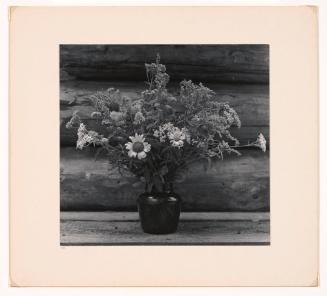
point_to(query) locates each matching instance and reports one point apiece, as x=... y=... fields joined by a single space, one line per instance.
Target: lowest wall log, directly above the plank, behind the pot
x=235 y=184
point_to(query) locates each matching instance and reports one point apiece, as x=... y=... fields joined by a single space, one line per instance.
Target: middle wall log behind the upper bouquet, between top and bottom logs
x=250 y=101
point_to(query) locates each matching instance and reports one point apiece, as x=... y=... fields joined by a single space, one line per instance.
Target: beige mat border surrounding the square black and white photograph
x=36 y=258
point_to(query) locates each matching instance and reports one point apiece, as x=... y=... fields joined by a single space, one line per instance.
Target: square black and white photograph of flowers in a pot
x=164 y=144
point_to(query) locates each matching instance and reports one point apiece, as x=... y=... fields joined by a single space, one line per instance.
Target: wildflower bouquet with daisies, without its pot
x=158 y=135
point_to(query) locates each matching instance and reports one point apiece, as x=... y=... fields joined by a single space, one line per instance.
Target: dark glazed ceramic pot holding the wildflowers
x=159 y=212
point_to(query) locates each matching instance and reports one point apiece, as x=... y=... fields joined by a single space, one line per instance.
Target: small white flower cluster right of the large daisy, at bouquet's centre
x=175 y=135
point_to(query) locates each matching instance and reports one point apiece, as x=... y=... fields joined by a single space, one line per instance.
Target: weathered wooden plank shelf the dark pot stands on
x=191 y=230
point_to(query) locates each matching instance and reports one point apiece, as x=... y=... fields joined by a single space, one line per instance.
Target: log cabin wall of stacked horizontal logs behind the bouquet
x=239 y=74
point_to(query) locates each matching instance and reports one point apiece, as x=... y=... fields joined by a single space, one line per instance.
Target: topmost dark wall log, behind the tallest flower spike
x=228 y=63
